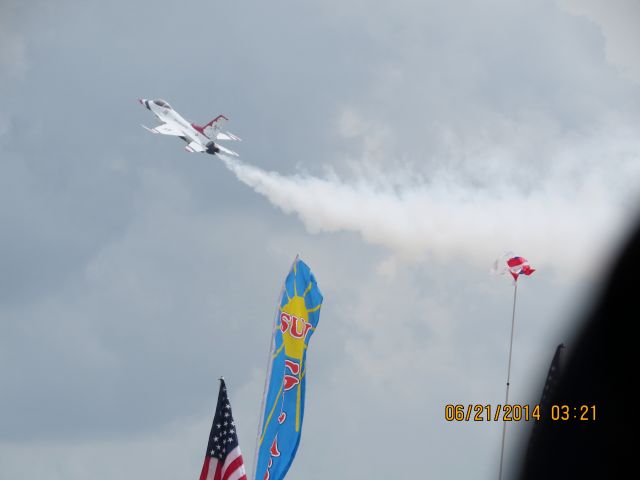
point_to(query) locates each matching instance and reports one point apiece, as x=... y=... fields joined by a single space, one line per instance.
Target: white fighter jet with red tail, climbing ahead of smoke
x=199 y=138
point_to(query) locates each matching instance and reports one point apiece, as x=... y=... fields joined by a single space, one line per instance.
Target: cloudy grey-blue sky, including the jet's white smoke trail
x=399 y=147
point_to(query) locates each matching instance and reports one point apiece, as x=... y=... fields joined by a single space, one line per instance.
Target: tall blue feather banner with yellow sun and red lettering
x=283 y=405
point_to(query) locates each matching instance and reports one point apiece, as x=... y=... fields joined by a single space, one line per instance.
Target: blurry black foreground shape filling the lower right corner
x=597 y=372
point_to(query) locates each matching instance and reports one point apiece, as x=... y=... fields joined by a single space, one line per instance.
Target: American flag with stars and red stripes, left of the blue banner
x=223 y=460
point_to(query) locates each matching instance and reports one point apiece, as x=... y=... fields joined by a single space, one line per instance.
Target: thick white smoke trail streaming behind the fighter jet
x=564 y=222
